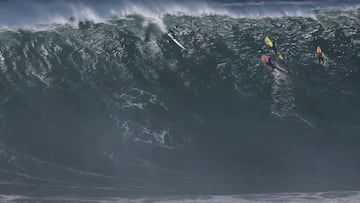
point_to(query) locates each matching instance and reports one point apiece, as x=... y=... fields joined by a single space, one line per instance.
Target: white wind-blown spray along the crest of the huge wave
x=60 y=14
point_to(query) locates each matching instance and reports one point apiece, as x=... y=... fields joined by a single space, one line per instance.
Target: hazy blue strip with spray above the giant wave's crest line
x=14 y=14
